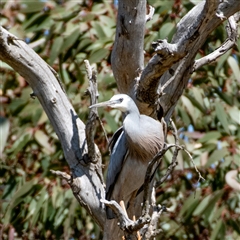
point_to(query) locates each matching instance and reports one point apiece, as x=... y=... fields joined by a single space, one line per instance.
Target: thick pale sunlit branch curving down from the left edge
x=87 y=187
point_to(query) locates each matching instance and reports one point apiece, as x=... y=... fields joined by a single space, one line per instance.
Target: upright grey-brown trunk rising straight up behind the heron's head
x=127 y=56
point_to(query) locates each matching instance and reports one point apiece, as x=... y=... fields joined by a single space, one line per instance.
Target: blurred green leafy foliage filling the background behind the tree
x=34 y=203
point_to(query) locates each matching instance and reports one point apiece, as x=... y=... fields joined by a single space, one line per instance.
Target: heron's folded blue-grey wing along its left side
x=119 y=152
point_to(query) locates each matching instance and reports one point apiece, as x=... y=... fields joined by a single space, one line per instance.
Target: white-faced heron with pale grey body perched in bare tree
x=132 y=147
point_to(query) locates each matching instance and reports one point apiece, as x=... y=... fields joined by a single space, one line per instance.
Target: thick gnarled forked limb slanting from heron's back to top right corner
x=192 y=32
